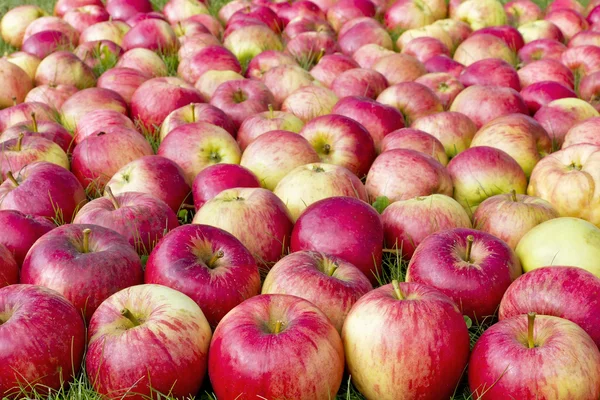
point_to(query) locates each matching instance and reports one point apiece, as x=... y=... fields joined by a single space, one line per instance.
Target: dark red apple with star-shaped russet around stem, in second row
x=182 y=261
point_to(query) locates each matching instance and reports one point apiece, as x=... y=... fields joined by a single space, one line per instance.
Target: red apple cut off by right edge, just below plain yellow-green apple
x=565 y=292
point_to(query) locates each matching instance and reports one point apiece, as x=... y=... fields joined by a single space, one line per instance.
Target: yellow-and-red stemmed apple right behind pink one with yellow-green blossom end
x=196 y=112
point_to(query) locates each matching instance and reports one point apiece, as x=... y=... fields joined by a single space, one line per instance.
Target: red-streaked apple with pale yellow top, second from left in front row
x=169 y=318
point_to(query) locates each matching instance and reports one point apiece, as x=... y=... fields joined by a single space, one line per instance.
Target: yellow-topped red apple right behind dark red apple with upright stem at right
x=407 y=223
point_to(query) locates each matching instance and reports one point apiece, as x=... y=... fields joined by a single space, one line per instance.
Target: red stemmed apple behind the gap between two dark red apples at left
x=152 y=218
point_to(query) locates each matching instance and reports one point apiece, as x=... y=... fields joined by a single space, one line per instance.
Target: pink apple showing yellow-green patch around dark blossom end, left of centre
x=198 y=145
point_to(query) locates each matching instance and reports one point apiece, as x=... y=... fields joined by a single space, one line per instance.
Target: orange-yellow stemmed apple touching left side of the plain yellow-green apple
x=510 y=216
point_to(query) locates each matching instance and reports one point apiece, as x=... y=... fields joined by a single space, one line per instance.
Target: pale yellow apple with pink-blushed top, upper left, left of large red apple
x=85 y=101
